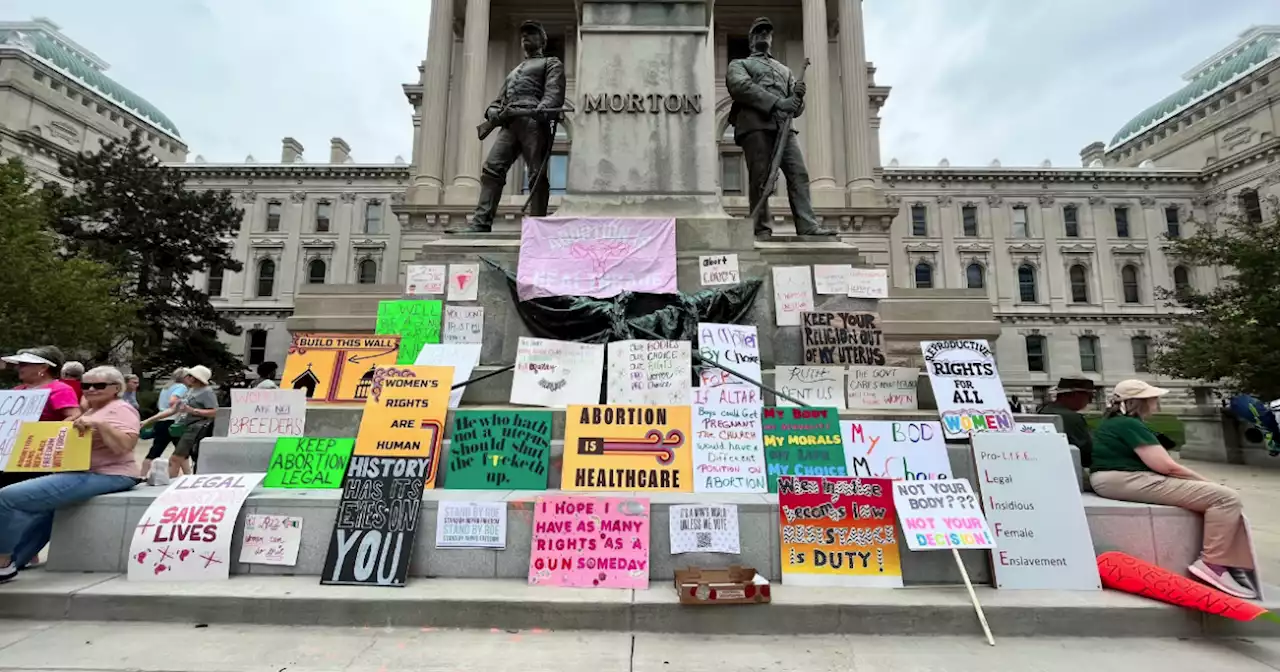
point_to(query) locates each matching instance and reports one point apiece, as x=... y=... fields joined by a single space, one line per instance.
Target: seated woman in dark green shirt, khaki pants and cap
x=1130 y=464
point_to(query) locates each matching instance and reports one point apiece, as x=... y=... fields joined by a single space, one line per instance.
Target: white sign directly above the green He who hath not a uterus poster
x=557 y=373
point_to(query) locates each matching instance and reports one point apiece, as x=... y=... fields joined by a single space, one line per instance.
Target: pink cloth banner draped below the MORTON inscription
x=596 y=257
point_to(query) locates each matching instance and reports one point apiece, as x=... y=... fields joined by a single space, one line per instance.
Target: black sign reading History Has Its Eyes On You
x=373 y=536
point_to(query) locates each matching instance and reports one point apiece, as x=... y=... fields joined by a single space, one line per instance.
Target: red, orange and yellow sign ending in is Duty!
x=838 y=532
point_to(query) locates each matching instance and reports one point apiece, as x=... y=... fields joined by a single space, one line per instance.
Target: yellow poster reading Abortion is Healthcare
x=628 y=449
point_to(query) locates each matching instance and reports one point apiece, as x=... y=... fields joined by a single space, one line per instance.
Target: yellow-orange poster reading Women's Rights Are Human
x=405 y=414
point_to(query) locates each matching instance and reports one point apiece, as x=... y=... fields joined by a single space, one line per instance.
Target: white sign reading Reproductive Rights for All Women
x=967 y=387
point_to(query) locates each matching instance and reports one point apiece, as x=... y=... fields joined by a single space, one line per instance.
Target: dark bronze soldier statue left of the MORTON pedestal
x=536 y=86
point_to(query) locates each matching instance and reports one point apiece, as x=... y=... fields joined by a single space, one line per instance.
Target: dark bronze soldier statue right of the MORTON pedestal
x=765 y=93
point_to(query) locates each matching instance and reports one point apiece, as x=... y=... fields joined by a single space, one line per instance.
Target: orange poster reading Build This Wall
x=337 y=368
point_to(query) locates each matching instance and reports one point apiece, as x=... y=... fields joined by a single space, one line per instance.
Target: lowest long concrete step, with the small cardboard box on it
x=514 y=605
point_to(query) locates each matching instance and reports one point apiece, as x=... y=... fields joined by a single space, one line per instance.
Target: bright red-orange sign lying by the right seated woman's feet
x=1121 y=572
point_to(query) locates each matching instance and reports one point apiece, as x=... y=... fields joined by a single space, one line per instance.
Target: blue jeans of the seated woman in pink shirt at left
x=28 y=509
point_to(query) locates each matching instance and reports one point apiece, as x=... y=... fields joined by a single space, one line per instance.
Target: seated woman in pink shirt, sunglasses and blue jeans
x=28 y=509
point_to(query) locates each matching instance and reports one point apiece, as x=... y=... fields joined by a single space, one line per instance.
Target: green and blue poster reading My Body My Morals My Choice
x=803 y=441
